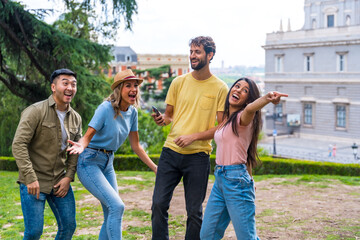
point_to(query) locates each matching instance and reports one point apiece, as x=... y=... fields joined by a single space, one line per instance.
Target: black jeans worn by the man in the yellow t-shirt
x=194 y=168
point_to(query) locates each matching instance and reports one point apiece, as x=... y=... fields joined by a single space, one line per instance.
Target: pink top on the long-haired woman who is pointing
x=232 y=149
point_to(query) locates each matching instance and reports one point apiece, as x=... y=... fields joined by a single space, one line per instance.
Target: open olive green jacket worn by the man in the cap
x=37 y=145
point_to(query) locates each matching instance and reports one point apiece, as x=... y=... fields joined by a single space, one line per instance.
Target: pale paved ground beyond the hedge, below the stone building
x=303 y=148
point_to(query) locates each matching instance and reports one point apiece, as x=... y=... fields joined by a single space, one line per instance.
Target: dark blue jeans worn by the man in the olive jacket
x=33 y=211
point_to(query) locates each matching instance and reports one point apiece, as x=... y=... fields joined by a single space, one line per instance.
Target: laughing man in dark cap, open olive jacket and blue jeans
x=45 y=168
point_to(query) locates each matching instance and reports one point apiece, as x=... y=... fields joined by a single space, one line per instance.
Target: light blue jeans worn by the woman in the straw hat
x=96 y=172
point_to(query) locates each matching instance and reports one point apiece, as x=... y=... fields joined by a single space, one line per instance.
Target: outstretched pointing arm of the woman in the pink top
x=249 y=112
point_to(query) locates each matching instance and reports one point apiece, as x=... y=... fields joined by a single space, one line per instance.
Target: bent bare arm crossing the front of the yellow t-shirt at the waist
x=186 y=140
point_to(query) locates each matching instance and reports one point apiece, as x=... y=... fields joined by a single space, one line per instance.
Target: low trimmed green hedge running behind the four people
x=268 y=165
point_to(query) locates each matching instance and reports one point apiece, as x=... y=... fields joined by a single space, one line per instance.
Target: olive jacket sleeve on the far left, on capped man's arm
x=25 y=131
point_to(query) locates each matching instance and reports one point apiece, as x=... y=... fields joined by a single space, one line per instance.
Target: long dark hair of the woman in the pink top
x=254 y=94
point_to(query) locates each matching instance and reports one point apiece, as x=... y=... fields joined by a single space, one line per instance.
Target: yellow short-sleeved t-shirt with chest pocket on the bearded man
x=195 y=106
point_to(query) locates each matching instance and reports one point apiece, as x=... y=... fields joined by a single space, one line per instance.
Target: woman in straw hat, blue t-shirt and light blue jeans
x=114 y=120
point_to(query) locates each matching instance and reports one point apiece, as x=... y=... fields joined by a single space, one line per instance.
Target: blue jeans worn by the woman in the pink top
x=232 y=198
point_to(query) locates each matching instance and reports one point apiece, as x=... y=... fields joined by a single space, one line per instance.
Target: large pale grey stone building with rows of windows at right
x=319 y=67
